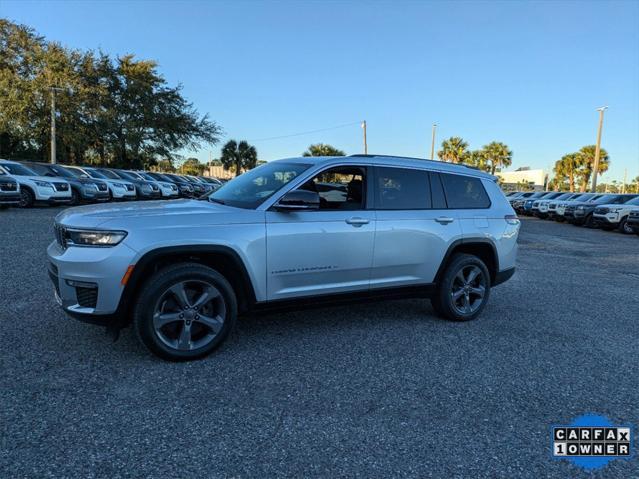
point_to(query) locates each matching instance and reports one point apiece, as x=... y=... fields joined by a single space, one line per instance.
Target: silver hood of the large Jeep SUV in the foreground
x=152 y=214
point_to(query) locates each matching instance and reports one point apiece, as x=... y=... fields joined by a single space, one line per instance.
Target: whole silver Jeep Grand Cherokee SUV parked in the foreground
x=290 y=232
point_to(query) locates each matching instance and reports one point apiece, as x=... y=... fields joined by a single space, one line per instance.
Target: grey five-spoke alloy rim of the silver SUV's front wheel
x=189 y=315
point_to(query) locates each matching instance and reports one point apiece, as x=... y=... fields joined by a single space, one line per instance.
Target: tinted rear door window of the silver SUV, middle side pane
x=402 y=189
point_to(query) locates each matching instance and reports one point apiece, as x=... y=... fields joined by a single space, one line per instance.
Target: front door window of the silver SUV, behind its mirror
x=340 y=188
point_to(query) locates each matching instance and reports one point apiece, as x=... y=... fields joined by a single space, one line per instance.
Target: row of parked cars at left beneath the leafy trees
x=25 y=183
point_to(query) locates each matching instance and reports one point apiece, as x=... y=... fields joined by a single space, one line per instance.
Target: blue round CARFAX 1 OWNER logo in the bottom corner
x=592 y=441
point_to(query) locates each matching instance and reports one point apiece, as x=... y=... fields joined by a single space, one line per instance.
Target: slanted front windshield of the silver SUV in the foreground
x=253 y=187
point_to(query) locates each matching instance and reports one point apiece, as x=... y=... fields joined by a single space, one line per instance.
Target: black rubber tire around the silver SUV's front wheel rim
x=155 y=290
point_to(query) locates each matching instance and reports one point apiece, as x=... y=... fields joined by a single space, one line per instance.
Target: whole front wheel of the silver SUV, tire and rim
x=185 y=311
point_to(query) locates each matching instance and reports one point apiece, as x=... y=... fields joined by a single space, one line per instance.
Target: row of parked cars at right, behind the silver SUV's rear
x=609 y=211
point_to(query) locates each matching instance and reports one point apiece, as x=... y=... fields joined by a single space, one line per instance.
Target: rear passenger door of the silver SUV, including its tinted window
x=414 y=227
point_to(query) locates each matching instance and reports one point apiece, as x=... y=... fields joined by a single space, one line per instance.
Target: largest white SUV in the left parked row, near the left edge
x=35 y=188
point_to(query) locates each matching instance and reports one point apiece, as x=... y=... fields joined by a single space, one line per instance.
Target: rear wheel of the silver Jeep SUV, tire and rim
x=463 y=290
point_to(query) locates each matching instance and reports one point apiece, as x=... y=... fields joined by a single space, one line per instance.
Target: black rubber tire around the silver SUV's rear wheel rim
x=443 y=302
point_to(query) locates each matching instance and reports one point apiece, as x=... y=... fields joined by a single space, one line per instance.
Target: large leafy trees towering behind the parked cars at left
x=119 y=112
